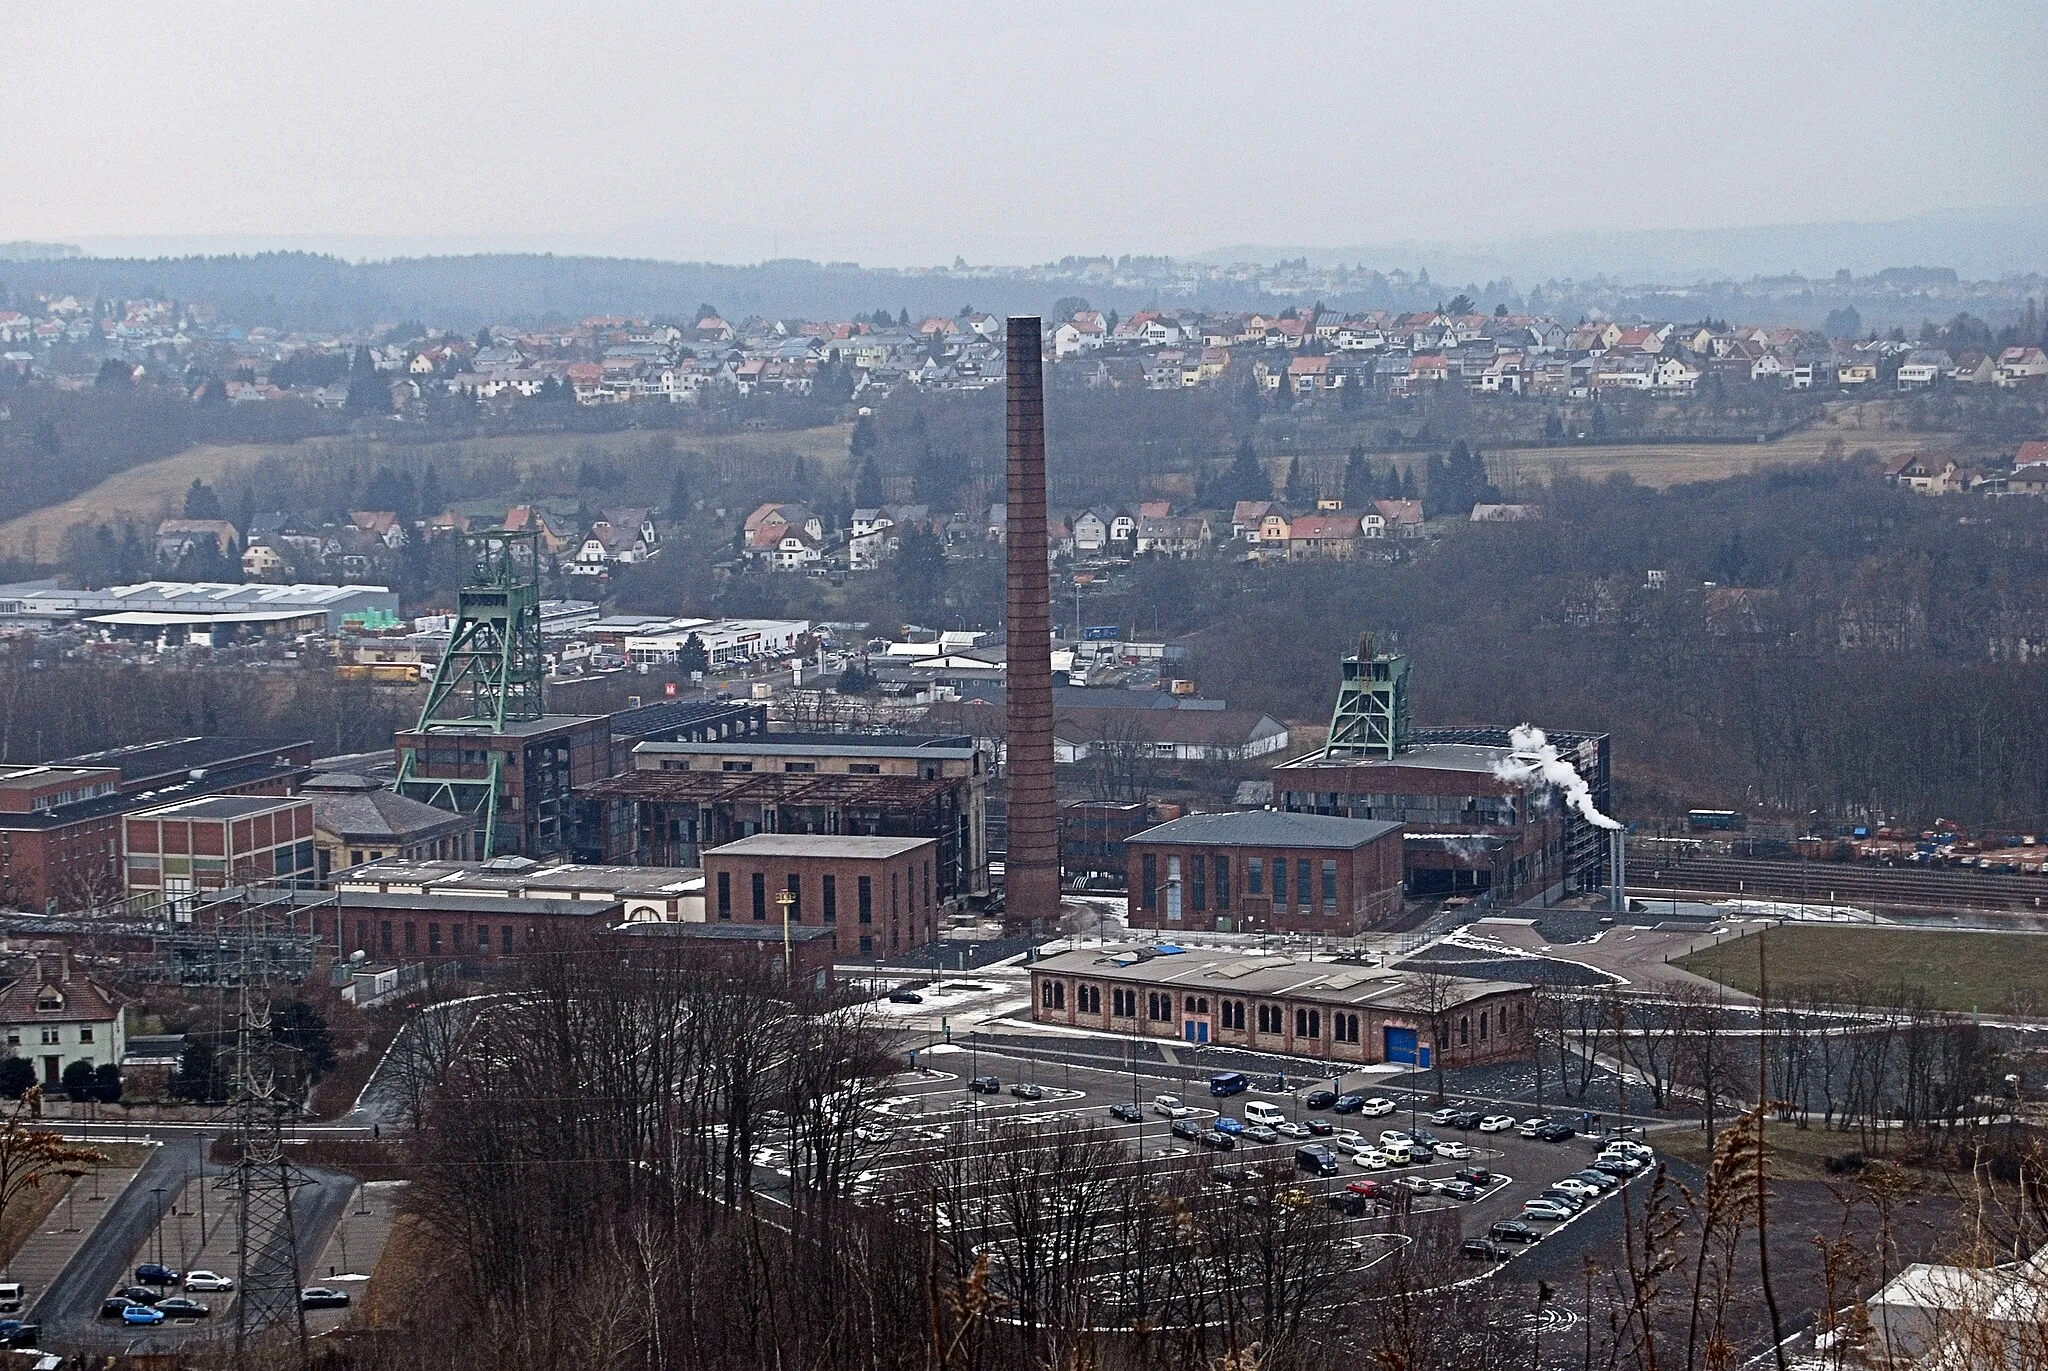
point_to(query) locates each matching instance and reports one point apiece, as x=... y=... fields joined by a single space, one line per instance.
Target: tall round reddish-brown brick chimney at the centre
x=1031 y=868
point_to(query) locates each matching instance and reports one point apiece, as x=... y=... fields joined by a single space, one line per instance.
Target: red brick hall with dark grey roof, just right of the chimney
x=1265 y=872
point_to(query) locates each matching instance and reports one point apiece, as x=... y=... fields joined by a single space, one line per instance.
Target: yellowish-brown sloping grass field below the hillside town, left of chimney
x=142 y=495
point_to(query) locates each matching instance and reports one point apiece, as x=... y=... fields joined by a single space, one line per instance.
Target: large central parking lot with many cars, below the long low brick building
x=933 y=1108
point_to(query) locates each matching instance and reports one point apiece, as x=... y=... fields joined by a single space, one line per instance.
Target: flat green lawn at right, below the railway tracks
x=1992 y=972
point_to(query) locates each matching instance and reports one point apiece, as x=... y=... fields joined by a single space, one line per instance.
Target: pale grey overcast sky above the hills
x=912 y=134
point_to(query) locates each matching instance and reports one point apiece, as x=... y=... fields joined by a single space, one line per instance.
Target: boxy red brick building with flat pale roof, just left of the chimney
x=878 y=897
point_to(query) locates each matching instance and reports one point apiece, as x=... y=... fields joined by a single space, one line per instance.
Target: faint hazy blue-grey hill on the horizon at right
x=1975 y=243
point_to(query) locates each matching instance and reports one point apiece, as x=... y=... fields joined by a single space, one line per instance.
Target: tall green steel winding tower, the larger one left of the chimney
x=486 y=679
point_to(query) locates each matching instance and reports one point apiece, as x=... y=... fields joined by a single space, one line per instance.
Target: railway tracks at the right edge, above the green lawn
x=1826 y=882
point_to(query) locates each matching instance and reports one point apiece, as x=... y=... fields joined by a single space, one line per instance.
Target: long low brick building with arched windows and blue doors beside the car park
x=1308 y=1009
